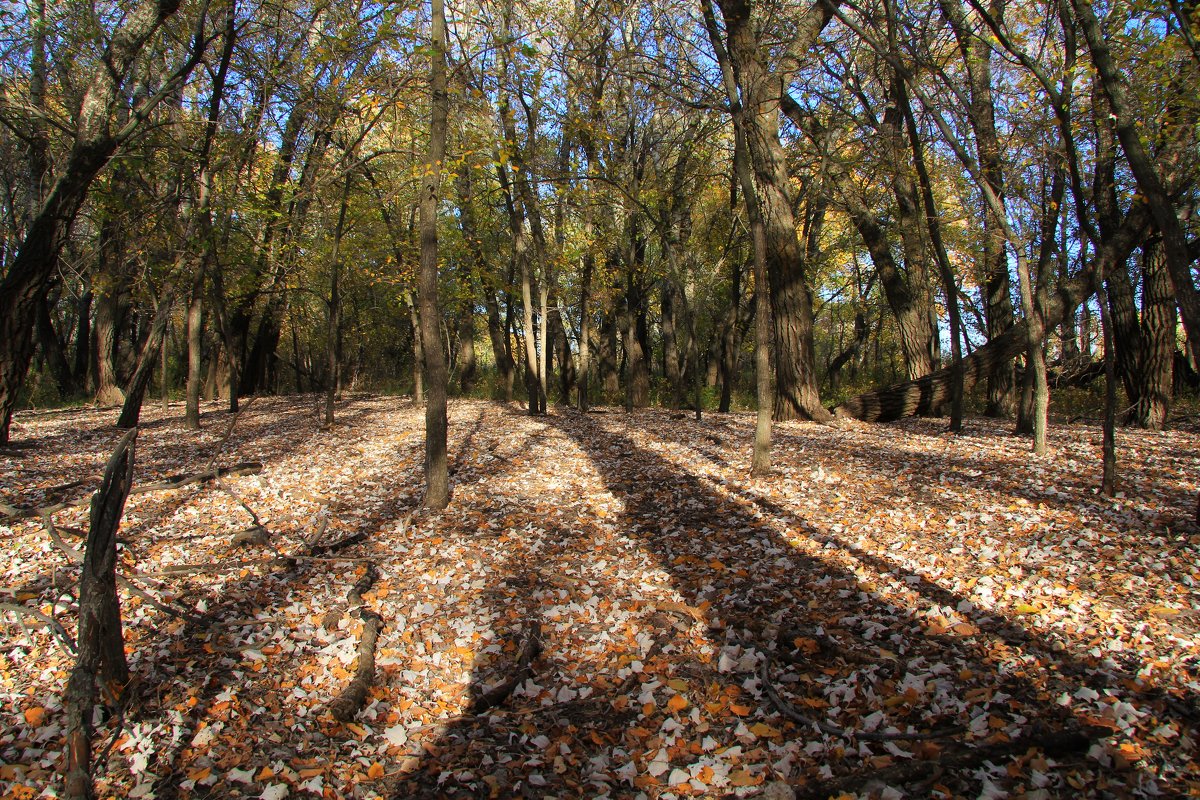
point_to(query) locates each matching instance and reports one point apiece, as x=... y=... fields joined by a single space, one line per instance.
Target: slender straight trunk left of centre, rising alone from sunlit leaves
x=437 y=479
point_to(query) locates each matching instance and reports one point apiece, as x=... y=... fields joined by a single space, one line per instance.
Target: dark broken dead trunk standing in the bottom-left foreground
x=101 y=643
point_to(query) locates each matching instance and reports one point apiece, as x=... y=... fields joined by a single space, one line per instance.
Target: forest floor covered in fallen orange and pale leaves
x=895 y=612
